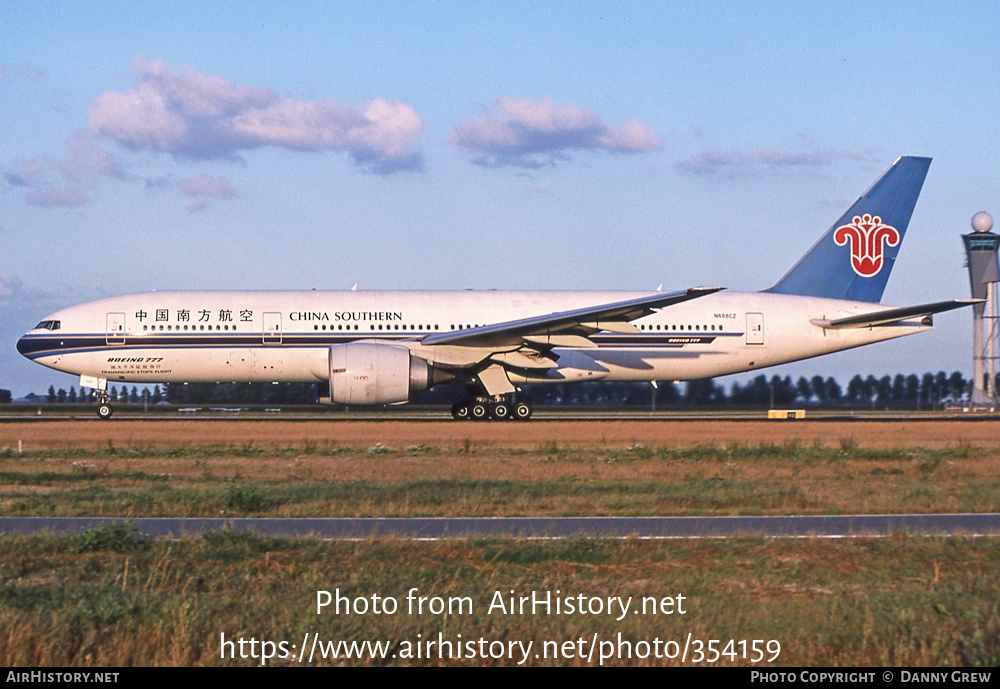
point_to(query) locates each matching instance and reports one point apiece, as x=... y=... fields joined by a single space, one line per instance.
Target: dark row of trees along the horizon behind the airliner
x=929 y=391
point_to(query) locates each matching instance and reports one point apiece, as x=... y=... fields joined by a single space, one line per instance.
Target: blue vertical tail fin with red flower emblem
x=853 y=259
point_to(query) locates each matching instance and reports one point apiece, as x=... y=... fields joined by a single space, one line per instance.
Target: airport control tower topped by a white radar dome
x=984 y=272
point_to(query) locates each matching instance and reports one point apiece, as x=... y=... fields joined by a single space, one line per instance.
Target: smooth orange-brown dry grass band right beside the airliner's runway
x=478 y=436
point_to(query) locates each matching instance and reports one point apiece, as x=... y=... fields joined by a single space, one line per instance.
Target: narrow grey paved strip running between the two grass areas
x=840 y=526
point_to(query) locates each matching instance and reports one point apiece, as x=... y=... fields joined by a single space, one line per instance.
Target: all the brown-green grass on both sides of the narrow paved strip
x=108 y=600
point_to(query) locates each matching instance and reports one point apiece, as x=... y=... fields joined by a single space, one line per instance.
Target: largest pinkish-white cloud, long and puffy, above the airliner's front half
x=189 y=114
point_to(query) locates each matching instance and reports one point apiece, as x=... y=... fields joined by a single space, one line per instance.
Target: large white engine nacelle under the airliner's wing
x=373 y=373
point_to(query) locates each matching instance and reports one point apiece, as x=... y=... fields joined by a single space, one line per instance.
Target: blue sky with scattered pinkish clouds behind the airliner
x=453 y=145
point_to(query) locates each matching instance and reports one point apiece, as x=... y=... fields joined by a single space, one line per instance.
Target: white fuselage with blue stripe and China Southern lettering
x=159 y=337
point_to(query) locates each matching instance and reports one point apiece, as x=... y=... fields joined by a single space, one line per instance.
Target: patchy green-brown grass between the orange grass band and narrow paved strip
x=313 y=479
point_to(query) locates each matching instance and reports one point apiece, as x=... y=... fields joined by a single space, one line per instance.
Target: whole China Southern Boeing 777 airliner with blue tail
x=375 y=348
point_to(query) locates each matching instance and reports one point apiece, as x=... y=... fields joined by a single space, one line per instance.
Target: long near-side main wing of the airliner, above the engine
x=567 y=328
